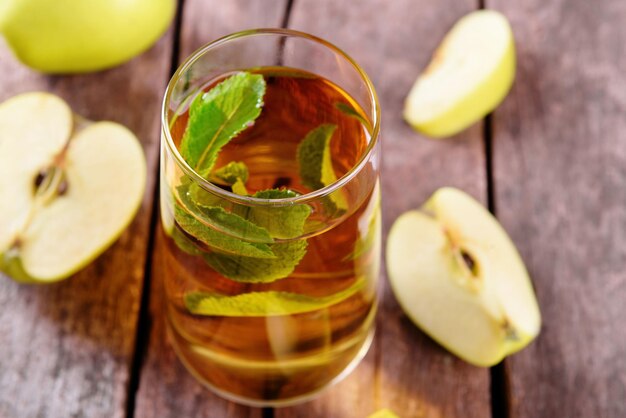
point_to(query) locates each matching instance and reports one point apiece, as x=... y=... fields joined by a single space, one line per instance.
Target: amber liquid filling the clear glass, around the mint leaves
x=275 y=360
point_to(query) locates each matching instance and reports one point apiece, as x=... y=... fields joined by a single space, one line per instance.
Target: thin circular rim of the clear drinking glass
x=255 y=201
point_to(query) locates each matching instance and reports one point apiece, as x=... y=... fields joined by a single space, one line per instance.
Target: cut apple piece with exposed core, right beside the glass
x=459 y=277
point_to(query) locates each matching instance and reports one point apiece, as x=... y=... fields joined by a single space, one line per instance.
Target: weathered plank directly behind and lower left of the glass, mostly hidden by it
x=166 y=389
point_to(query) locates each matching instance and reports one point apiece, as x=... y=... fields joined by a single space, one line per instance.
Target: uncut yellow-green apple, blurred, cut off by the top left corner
x=75 y=36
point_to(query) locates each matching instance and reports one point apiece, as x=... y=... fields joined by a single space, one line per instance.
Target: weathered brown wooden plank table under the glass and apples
x=550 y=162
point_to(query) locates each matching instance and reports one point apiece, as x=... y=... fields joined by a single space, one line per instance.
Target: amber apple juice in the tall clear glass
x=320 y=315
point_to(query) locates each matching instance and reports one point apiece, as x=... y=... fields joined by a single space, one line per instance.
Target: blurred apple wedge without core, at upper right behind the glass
x=469 y=75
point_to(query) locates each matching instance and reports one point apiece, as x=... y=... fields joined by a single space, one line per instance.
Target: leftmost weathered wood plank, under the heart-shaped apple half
x=66 y=349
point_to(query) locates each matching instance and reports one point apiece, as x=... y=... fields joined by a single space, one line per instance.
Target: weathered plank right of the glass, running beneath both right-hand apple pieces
x=404 y=370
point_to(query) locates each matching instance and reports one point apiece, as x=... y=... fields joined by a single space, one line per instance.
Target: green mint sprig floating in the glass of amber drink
x=239 y=243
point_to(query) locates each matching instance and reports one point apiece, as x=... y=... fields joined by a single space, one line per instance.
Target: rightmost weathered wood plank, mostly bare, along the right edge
x=560 y=182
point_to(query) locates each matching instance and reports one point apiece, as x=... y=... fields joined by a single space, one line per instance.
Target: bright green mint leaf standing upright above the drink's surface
x=217 y=116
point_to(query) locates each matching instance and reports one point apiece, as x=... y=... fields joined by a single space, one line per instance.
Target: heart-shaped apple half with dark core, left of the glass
x=65 y=196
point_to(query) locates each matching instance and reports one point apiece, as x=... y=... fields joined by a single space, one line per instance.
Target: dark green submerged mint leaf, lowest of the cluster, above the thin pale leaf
x=252 y=269
